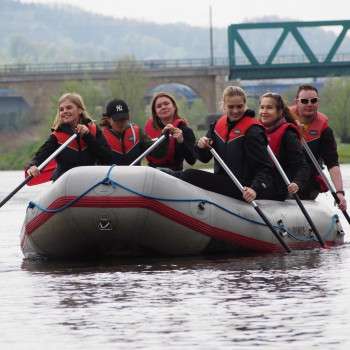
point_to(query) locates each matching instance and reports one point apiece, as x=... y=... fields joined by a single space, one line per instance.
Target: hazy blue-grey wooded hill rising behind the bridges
x=43 y=33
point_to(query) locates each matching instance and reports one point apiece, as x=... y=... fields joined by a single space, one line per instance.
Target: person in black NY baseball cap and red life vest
x=126 y=139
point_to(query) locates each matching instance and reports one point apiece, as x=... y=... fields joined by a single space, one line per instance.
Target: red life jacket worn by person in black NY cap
x=129 y=141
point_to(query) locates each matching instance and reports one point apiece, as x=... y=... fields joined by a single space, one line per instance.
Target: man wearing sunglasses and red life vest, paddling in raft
x=320 y=138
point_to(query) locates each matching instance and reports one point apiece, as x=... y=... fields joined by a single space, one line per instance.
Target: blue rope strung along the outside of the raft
x=109 y=181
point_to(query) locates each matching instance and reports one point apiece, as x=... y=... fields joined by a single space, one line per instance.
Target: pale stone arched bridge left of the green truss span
x=39 y=89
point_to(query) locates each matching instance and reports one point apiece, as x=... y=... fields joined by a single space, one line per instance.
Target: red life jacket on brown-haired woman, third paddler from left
x=152 y=132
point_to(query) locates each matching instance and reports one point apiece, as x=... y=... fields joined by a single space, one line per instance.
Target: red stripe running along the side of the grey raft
x=164 y=210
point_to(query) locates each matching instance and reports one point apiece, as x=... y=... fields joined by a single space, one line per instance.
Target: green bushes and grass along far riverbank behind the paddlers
x=20 y=141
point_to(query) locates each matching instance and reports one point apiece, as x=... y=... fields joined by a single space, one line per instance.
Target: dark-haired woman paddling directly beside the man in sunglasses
x=284 y=139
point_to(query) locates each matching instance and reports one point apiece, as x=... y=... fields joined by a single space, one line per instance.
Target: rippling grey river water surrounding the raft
x=295 y=301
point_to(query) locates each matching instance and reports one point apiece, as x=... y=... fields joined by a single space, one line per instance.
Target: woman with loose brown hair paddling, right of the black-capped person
x=180 y=144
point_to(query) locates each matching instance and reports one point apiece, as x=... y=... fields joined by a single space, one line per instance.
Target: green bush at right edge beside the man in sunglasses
x=335 y=102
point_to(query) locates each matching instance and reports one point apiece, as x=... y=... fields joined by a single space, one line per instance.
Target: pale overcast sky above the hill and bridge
x=225 y=12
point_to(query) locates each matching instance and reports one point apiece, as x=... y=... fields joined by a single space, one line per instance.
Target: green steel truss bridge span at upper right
x=291 y=37
